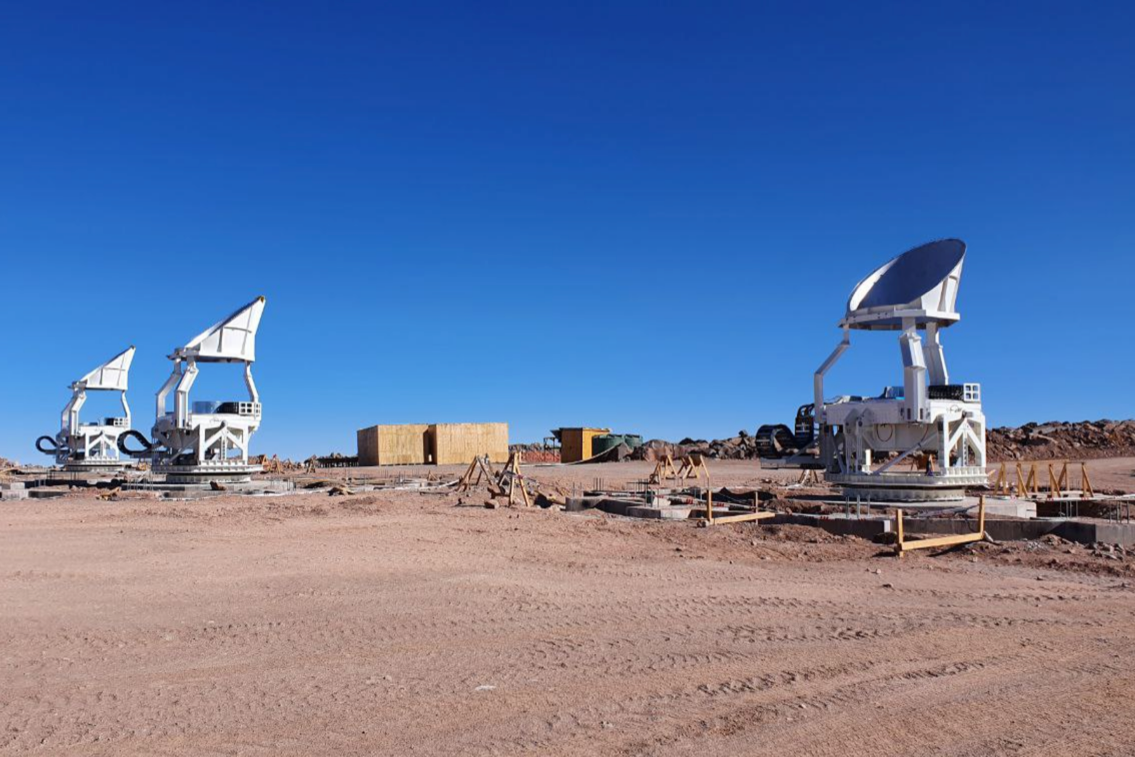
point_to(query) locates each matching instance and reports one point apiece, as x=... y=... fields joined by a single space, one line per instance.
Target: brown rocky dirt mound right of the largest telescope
x=1057 y=441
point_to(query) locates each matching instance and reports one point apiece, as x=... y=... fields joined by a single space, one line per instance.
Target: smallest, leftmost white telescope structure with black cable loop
x=93 y=447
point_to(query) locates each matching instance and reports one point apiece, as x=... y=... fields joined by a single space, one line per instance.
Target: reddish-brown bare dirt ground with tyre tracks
x=391 y=624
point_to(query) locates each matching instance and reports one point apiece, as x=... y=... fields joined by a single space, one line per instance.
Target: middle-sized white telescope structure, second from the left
x=207 y=442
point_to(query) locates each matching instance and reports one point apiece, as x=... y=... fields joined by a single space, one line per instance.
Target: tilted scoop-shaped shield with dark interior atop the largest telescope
x=921 y=284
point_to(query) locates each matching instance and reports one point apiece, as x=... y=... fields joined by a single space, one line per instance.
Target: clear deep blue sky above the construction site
x=646 y=216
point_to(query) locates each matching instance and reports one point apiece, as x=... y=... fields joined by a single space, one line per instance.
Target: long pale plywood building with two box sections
x=442 y=444
